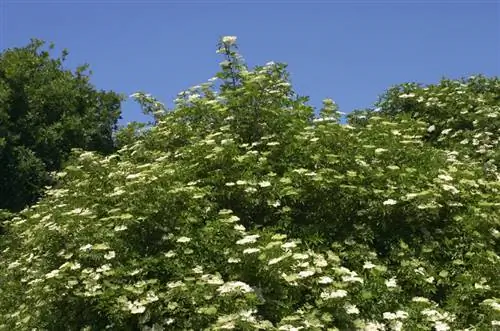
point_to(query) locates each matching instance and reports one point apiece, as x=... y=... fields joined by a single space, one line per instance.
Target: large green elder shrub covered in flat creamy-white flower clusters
x=242 y=210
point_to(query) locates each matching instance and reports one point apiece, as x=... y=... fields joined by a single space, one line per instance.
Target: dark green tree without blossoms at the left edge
x=45 y=110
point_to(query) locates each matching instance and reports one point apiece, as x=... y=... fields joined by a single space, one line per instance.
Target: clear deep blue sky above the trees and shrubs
x=350 y=51
